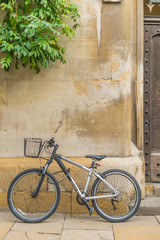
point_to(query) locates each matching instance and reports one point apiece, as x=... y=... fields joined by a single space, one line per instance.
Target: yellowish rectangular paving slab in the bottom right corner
x=136 y=232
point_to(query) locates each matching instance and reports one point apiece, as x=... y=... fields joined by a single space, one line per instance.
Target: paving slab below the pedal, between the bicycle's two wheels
x=86 y=222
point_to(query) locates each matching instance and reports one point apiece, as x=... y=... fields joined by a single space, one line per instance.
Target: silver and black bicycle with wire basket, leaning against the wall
x=34 y=194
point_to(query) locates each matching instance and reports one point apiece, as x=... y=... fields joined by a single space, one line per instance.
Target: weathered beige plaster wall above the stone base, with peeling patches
x=85 y=104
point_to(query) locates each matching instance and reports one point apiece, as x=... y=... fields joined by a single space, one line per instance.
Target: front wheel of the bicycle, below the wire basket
x=22 y=202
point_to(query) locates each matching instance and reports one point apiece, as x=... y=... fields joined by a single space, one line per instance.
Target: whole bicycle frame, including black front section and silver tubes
x=59 y=158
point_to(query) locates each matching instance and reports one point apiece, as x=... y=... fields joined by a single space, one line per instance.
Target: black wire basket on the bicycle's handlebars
x=32 y=147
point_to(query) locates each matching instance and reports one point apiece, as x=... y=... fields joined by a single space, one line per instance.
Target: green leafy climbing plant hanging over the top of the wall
x=31 y=29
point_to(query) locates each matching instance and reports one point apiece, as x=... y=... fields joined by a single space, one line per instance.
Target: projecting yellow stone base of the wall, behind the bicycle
x=9 y=168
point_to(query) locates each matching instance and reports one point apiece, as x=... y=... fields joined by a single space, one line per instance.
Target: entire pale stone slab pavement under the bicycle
x=79 y=227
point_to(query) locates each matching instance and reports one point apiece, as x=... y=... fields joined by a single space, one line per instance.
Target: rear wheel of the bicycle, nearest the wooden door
x=125 y=204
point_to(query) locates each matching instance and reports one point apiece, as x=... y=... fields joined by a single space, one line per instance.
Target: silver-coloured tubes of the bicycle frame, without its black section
x=91 y=171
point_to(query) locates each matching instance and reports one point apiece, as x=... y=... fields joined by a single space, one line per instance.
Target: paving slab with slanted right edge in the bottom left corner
x=6 y=222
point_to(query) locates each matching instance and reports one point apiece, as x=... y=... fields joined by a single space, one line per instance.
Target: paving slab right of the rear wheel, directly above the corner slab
x=140 y=221
